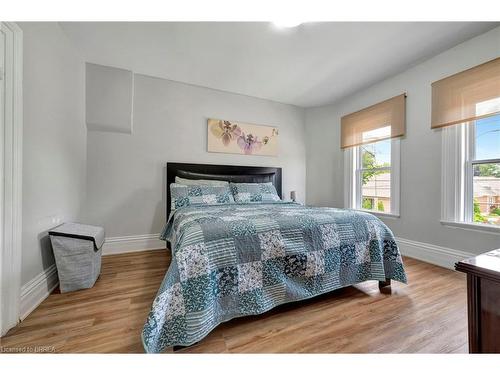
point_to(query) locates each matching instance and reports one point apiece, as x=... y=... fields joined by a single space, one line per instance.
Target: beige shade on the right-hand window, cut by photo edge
x=466 y=96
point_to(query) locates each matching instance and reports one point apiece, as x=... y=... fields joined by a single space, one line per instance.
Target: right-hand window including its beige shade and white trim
x=467 y=106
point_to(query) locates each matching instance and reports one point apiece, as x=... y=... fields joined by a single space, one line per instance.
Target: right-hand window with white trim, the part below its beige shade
x=471 y=165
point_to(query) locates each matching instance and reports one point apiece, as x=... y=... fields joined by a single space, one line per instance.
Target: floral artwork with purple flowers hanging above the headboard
x=235 y=137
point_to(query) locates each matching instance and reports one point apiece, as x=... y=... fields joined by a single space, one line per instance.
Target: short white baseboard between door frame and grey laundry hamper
x=35 y=291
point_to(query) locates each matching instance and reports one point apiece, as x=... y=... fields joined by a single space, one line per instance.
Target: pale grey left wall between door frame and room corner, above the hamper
x=54 y=138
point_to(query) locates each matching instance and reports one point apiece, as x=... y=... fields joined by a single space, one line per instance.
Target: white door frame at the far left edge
x=11 y=133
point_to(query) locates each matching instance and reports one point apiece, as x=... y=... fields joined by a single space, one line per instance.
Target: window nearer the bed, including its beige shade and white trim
x=370 y=139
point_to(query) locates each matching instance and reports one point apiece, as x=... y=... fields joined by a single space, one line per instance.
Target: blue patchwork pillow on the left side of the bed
x=187 y=195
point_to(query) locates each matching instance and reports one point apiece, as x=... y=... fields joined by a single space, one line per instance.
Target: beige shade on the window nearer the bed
x=380 y=121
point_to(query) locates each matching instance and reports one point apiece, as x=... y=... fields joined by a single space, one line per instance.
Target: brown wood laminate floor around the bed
x=428 y=315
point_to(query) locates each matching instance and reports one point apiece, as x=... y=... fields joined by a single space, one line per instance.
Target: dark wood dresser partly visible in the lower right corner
x=483 y=300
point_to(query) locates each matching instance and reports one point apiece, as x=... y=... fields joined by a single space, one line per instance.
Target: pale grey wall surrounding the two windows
x=420 y=149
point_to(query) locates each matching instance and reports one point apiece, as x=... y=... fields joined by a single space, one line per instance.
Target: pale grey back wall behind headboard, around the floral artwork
x=126 y=173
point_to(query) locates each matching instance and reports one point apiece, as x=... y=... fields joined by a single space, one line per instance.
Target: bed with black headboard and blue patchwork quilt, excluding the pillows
x=236 y=259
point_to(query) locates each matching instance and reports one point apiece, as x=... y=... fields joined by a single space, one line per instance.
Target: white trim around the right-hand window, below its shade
x=457 y=161
